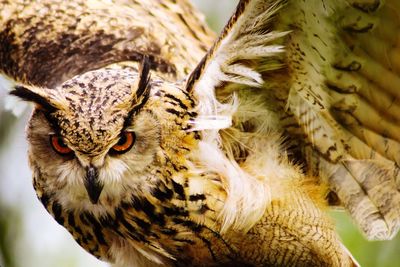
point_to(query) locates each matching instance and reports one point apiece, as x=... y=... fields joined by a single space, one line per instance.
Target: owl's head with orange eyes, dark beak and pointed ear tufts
x=100 y=134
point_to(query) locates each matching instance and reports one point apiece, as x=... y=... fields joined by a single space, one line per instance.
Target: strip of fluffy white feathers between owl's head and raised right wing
x=247 y=193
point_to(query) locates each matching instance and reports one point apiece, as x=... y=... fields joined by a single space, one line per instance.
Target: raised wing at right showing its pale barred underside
x=328 y=74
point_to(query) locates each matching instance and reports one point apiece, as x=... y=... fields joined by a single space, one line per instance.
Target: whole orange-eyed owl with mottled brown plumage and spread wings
x=156 y=143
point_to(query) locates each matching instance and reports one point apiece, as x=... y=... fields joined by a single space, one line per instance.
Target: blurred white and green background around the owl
x=29 y=237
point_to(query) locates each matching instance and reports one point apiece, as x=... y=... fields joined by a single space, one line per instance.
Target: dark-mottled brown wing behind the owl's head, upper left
x=47 y=42
